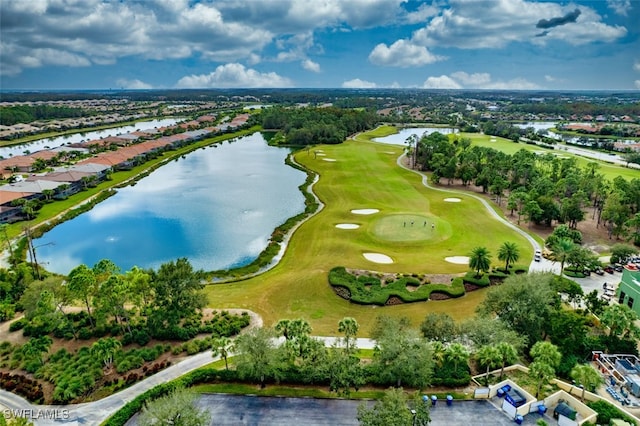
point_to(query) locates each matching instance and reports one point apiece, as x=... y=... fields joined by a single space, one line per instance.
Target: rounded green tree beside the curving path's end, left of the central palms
x=257 y=357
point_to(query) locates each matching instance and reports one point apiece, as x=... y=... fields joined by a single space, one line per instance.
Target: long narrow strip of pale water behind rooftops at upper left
x=57 y=141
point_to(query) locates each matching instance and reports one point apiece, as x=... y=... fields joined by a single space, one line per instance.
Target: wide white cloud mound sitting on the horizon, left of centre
x=234 y=75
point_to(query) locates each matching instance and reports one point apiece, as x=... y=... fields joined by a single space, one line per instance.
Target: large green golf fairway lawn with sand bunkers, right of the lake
x=365 y=175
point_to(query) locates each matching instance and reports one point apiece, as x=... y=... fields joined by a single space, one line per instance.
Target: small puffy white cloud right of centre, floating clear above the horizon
x=402 y=53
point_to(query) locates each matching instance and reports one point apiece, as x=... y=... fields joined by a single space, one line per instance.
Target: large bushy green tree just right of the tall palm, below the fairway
x=400 y=355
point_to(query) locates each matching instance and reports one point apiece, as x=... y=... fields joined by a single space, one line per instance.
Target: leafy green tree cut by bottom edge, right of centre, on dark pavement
x=392 y=410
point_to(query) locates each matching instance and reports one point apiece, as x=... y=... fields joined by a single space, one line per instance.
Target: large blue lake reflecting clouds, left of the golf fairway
x=215 y=206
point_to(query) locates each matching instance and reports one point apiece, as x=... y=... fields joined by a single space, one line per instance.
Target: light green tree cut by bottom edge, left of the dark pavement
x=177 y=409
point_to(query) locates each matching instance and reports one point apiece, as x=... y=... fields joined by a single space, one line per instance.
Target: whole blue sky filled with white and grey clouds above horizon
x=461 y=44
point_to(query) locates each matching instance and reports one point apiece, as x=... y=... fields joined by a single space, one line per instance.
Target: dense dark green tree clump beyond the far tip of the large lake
x=307 y=126
